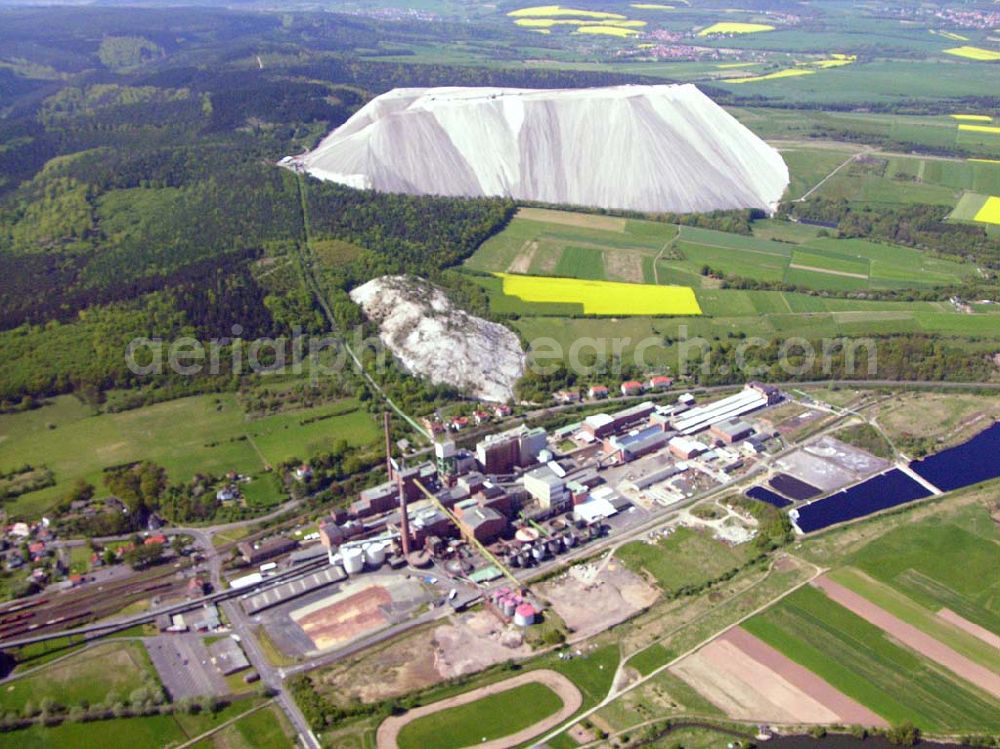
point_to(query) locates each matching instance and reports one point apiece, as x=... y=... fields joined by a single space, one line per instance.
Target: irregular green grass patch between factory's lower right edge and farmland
x=686 y=557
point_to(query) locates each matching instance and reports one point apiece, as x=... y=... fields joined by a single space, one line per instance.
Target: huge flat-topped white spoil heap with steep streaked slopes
x=663 y=148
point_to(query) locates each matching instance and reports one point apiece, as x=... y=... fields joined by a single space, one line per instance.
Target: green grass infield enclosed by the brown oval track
x=489 y=718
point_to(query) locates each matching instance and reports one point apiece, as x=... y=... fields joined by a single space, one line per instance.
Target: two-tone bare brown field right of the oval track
x=748 y=679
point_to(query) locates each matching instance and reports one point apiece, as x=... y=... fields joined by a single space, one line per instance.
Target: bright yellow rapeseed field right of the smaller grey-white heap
x=603 y=297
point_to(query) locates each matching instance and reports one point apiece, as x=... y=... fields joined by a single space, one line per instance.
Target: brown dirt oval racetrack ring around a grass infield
x=388 y=732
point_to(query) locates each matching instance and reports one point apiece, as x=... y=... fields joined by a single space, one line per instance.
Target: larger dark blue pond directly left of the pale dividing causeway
x=878 y=493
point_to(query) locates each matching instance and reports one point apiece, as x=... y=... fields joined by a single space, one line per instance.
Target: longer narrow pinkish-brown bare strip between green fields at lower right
x=912 y=637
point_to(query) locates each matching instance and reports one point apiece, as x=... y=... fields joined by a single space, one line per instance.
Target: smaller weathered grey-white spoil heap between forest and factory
x=418 y=324
